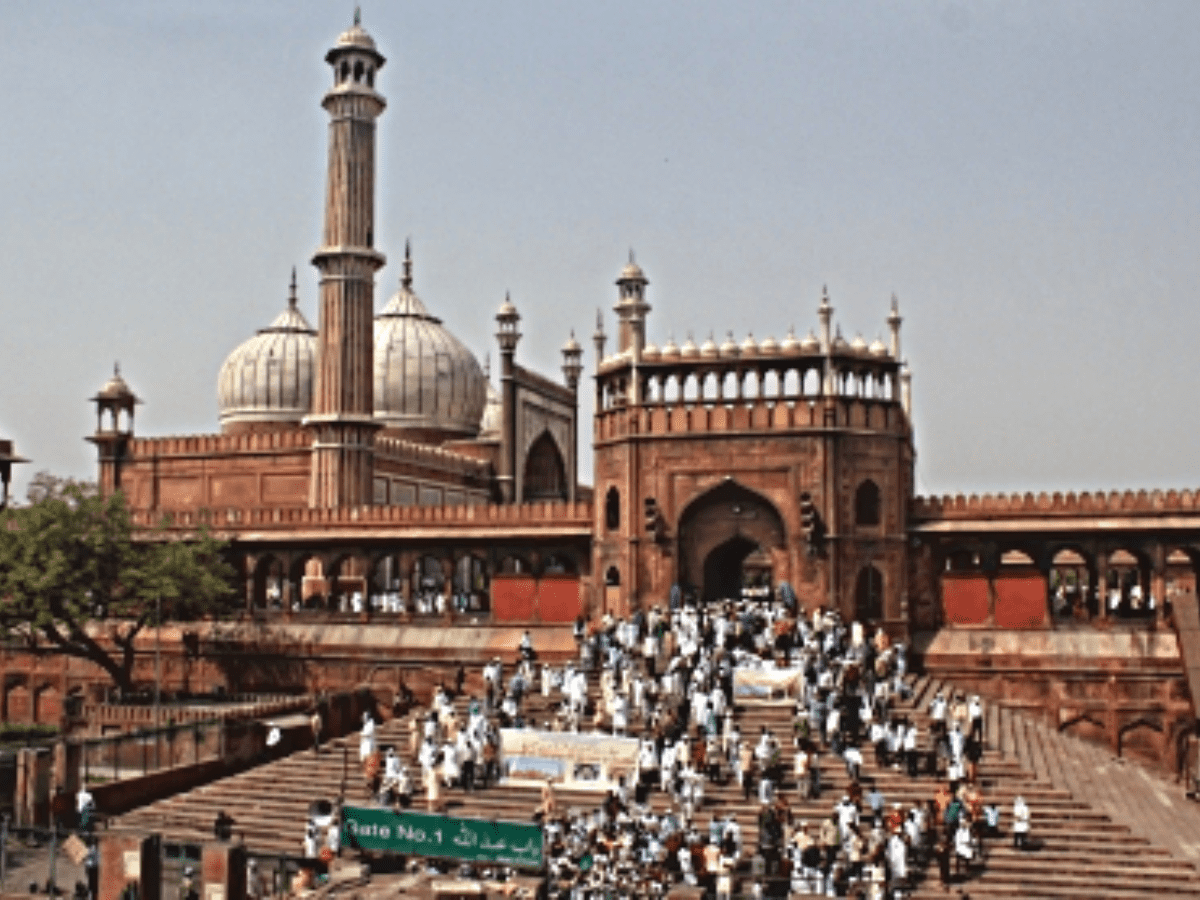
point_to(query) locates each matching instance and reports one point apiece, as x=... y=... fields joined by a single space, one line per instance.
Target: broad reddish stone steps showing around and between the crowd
x=1084 y=849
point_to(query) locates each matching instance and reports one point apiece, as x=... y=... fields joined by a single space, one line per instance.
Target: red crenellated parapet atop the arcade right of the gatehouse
x=1000 y=506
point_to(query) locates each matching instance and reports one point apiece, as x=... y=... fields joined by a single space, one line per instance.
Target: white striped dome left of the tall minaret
x=269 y=377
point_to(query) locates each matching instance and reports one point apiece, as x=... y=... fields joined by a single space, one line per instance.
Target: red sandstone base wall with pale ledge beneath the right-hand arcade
x=1124 y=687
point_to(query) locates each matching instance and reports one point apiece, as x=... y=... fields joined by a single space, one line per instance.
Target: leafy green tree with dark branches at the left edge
x=76 y=575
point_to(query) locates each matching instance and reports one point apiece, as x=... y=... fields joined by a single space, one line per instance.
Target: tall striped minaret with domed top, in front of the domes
x=343 y=423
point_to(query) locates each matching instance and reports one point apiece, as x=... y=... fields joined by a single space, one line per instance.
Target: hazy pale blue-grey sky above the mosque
x=1024 y=176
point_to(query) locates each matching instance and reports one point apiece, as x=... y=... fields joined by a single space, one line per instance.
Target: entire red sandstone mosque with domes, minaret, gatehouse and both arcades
x=368 y=471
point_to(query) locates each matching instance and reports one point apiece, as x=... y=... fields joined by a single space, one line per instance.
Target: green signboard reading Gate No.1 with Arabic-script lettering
x=425 y=835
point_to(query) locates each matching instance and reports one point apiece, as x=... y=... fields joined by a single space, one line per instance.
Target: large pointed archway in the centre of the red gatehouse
x=721 y=532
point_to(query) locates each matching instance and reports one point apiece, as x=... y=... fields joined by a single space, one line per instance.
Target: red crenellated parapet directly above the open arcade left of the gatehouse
x=550 y=515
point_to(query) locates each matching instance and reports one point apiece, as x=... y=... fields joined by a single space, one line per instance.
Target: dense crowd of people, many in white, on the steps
x=671 y=680
